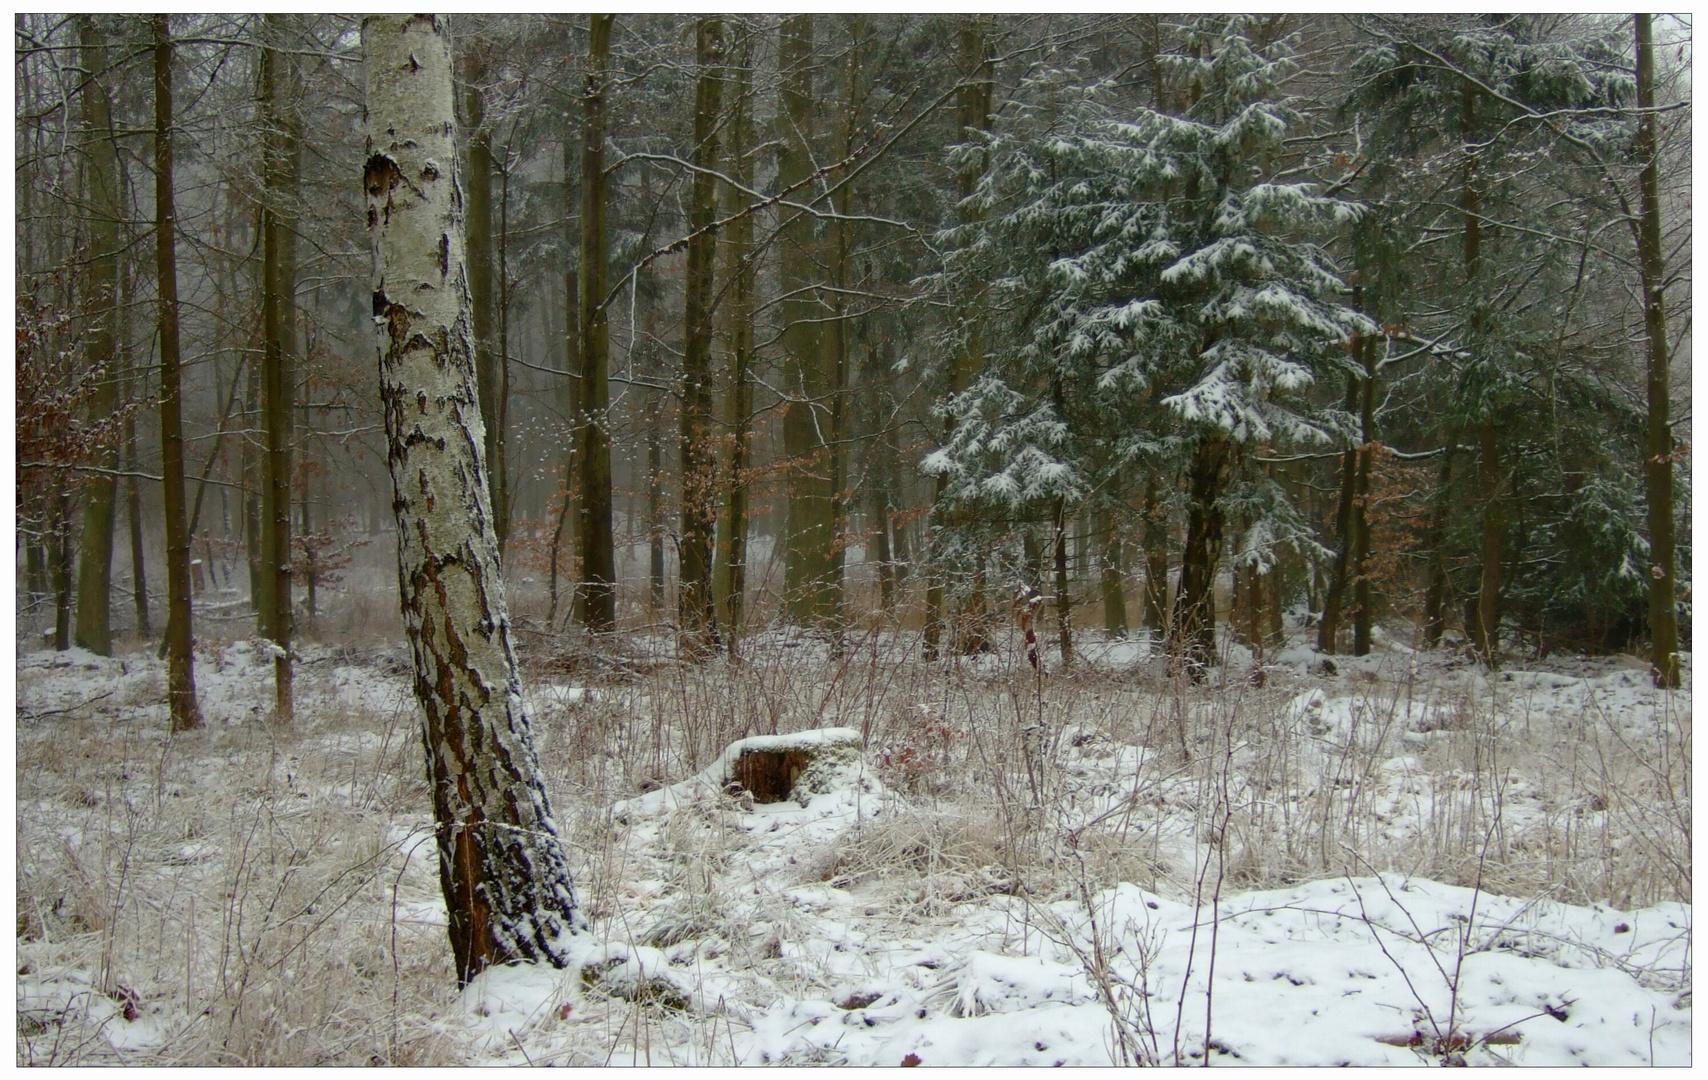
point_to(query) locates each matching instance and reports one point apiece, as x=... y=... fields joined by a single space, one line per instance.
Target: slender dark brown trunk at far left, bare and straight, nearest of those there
x=180 y=659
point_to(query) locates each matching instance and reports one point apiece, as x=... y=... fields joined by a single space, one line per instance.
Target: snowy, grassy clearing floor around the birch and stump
x=1403 y=862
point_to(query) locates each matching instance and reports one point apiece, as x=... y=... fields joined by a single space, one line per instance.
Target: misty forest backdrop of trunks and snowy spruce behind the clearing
x=1364 y=320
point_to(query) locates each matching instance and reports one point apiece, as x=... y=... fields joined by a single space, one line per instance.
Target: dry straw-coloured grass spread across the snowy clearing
x=259 y=891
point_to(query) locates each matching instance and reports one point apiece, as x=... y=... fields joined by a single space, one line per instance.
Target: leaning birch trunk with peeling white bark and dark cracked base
x=501 y=864
